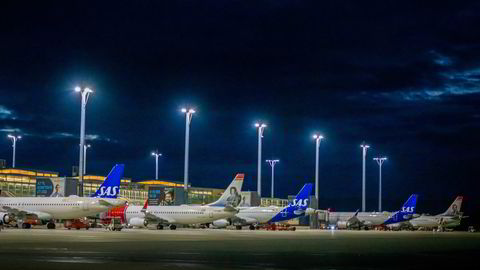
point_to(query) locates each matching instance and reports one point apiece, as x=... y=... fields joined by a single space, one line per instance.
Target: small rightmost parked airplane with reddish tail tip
x=449 y=219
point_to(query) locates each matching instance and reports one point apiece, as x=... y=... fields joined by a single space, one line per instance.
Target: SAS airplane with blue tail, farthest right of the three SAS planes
x=345 y=220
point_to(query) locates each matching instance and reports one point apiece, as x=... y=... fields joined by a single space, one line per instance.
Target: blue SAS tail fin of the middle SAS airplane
x=297 y=208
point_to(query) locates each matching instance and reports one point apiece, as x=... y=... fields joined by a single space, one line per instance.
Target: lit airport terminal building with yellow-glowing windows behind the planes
x=21 y=182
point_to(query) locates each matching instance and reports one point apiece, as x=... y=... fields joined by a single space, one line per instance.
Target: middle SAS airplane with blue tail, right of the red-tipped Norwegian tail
x=260 y=215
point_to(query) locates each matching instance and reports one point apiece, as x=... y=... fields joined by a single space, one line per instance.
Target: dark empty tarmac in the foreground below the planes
x=231 y=249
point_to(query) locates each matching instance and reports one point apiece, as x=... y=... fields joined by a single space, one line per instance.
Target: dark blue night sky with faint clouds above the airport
x=403 y=76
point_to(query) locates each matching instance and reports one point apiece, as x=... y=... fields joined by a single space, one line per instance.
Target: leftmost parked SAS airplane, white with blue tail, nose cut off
x=37 y=210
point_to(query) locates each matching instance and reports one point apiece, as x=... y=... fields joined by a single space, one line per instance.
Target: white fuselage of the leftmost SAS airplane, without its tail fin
x=57 y=207
